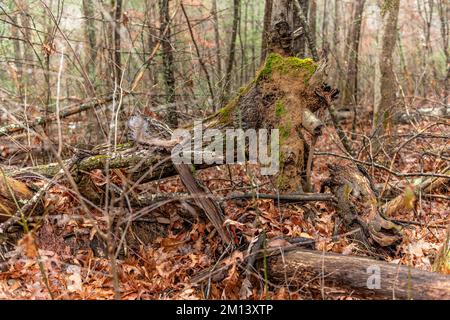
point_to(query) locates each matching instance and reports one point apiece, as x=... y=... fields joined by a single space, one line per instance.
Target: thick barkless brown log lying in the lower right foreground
x=300 y=267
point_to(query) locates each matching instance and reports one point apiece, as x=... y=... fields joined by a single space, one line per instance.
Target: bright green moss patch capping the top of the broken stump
x=286 y=65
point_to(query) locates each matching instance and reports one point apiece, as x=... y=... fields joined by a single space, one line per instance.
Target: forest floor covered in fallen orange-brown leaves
x=46 y=266
